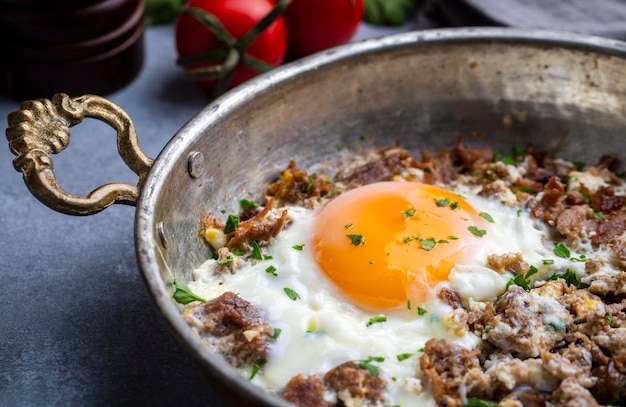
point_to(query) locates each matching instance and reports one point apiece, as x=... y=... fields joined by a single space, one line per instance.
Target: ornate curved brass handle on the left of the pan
x=42 y=127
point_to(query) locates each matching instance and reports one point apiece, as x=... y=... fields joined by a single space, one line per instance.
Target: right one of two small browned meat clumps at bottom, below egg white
x=352 y=381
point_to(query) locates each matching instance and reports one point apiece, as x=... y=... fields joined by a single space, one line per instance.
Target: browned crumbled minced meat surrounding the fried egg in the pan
x=560 y=342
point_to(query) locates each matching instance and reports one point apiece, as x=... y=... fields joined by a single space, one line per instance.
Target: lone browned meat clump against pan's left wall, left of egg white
x=232 y=327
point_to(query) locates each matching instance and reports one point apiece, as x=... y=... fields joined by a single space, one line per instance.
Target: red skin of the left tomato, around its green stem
x=237 y=17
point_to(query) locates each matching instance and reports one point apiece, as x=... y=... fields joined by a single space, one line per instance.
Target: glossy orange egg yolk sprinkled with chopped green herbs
x=387 y=245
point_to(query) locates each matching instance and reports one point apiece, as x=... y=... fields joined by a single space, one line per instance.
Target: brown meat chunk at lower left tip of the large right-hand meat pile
x=445 y=365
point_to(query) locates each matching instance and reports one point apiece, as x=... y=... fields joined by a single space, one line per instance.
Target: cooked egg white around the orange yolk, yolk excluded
x=322 y=329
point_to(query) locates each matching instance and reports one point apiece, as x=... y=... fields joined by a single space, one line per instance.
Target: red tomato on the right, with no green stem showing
x=315 y=25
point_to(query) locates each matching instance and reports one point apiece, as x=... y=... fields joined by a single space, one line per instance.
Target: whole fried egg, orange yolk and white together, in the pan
x=357 y=279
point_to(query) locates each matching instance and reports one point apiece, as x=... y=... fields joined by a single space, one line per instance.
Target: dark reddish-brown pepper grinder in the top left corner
x=69 y=46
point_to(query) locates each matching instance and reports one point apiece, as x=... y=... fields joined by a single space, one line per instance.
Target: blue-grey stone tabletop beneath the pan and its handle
x=77 y=327
